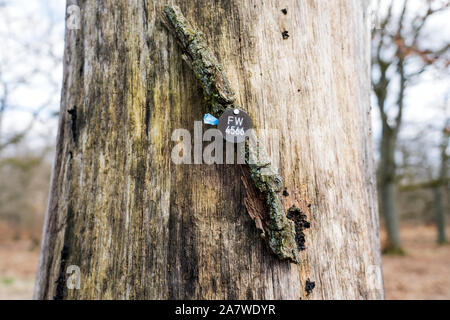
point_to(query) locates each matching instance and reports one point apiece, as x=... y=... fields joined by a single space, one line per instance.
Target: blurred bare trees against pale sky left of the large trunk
x=30 y=76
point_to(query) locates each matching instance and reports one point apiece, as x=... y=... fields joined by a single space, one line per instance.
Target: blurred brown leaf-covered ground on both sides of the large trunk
x=423 y=273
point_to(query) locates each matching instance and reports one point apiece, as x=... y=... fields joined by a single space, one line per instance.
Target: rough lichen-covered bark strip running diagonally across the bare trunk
x=262 y=182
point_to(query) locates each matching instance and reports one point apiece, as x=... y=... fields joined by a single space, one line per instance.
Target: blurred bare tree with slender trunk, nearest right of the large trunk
x=401 y=54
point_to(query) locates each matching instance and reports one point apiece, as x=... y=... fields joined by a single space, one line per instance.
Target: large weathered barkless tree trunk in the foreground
x=140 y=227
